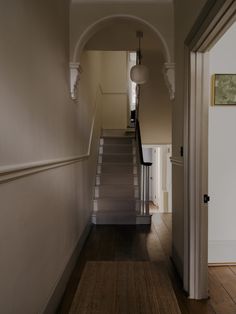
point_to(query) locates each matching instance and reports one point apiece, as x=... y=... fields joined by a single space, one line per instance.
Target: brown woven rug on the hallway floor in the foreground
x=124 y=288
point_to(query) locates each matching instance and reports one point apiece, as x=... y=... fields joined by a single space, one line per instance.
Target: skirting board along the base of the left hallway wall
x=55 y=299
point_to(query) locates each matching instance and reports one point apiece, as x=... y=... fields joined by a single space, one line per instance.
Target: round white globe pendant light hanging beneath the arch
x=139 y=73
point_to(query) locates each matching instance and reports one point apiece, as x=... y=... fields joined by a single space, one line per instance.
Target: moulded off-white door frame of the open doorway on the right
x=215 y=18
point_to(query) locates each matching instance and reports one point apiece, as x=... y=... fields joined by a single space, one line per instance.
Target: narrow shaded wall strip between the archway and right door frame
x=186 y=13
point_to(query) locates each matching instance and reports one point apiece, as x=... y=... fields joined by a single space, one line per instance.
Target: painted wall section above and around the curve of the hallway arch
x=159 y=15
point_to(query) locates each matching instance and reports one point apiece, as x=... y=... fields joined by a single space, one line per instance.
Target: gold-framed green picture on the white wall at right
x=224 y=89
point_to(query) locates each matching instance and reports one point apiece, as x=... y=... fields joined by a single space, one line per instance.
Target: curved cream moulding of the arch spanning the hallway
x=100 y=23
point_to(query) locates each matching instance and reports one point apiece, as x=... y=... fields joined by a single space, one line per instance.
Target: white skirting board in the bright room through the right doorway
x=222 y=252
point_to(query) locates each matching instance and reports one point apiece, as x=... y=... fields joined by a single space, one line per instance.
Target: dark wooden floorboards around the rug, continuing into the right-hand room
x=142 y=243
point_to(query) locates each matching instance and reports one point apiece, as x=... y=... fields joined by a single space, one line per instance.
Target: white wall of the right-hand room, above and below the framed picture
x=222 y=156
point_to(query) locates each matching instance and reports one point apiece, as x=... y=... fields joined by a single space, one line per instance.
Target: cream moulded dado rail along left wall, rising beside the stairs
x=13 y=172
